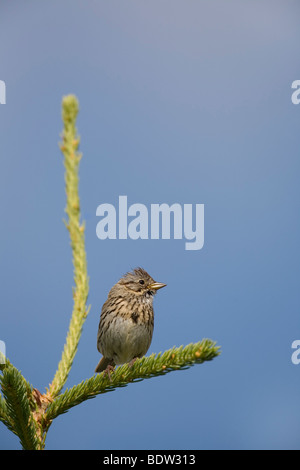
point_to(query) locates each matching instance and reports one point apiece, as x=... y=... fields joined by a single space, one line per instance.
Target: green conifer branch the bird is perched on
x=144 y=368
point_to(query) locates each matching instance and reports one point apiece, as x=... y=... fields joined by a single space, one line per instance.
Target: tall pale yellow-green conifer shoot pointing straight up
x=69 y=148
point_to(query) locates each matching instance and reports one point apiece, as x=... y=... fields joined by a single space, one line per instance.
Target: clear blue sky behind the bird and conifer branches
x=186 y=102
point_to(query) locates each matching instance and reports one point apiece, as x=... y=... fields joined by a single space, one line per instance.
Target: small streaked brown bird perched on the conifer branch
x=127 y=320
